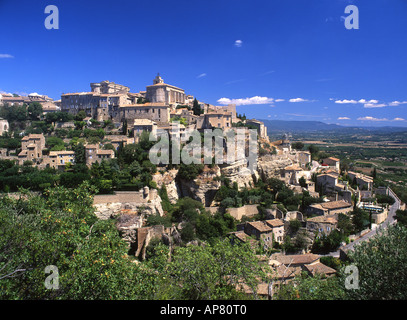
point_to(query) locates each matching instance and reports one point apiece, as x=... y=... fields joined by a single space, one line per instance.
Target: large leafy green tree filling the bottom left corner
x=60 y=229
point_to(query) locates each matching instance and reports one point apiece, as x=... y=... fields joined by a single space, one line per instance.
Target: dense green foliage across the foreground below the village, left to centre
x=60 y=229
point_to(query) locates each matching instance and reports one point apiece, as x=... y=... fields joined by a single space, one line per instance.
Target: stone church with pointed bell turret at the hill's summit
x=160 y=92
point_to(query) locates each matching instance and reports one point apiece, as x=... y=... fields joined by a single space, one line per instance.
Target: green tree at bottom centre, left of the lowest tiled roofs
x=214 y=272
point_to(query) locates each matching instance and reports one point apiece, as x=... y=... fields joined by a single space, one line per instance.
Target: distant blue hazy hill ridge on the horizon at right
x=275 y=126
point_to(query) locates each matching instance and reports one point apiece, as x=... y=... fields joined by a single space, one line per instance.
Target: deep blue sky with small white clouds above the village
x=276 y=59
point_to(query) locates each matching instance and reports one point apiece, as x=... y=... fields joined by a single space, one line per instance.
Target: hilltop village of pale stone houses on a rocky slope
x=295 y=207
